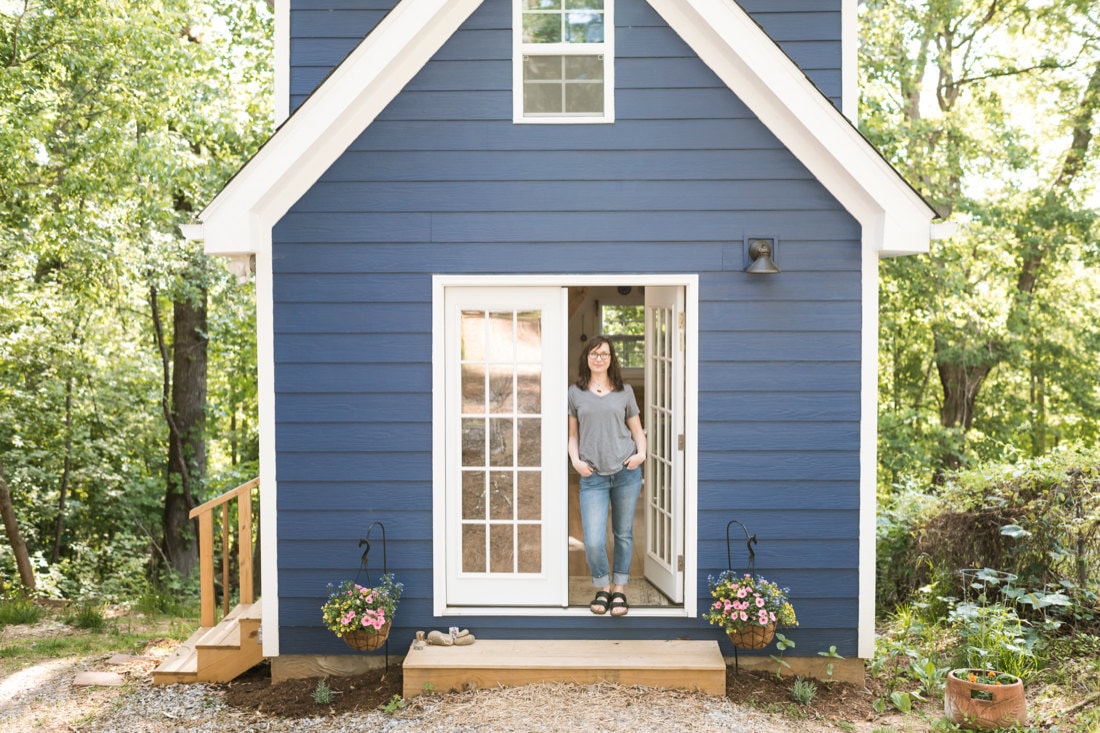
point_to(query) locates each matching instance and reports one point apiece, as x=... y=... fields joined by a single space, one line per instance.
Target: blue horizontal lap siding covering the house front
x=444 y=182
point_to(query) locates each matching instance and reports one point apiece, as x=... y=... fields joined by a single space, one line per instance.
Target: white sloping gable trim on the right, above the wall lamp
x=808 y=124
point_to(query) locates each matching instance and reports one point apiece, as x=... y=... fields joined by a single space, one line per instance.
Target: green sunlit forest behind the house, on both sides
x=128 y=358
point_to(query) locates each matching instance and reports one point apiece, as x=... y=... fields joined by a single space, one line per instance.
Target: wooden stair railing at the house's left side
x=205 y=513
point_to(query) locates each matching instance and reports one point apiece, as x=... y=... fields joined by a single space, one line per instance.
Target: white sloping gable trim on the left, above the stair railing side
x=328 y=122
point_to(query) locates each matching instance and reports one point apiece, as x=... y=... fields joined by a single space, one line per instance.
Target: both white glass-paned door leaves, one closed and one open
x=505 y=485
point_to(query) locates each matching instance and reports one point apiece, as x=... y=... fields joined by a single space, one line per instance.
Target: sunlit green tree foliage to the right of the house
x=988 y=345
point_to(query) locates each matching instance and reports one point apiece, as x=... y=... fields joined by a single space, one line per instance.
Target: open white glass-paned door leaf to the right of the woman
x=665 y=430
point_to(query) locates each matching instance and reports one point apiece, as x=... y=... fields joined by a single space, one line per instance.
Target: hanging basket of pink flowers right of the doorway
x=750 y=608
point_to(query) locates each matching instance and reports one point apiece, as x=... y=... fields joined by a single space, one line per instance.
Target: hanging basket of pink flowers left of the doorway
x=361 y=616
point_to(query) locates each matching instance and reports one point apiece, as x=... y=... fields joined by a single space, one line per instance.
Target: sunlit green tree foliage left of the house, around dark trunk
x=118 y=121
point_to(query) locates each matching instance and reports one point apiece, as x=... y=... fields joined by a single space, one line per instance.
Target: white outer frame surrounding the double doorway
x=690 y=283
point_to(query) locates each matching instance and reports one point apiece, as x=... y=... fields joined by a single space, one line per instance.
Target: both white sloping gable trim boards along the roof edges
x=895 y=220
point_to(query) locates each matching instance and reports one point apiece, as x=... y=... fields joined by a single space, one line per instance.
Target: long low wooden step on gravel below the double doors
x=498 y=663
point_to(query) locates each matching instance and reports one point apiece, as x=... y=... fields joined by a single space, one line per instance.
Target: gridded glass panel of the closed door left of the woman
x=502 y=433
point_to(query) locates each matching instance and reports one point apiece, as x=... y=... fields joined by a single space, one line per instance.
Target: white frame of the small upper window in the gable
x=607 y=50
